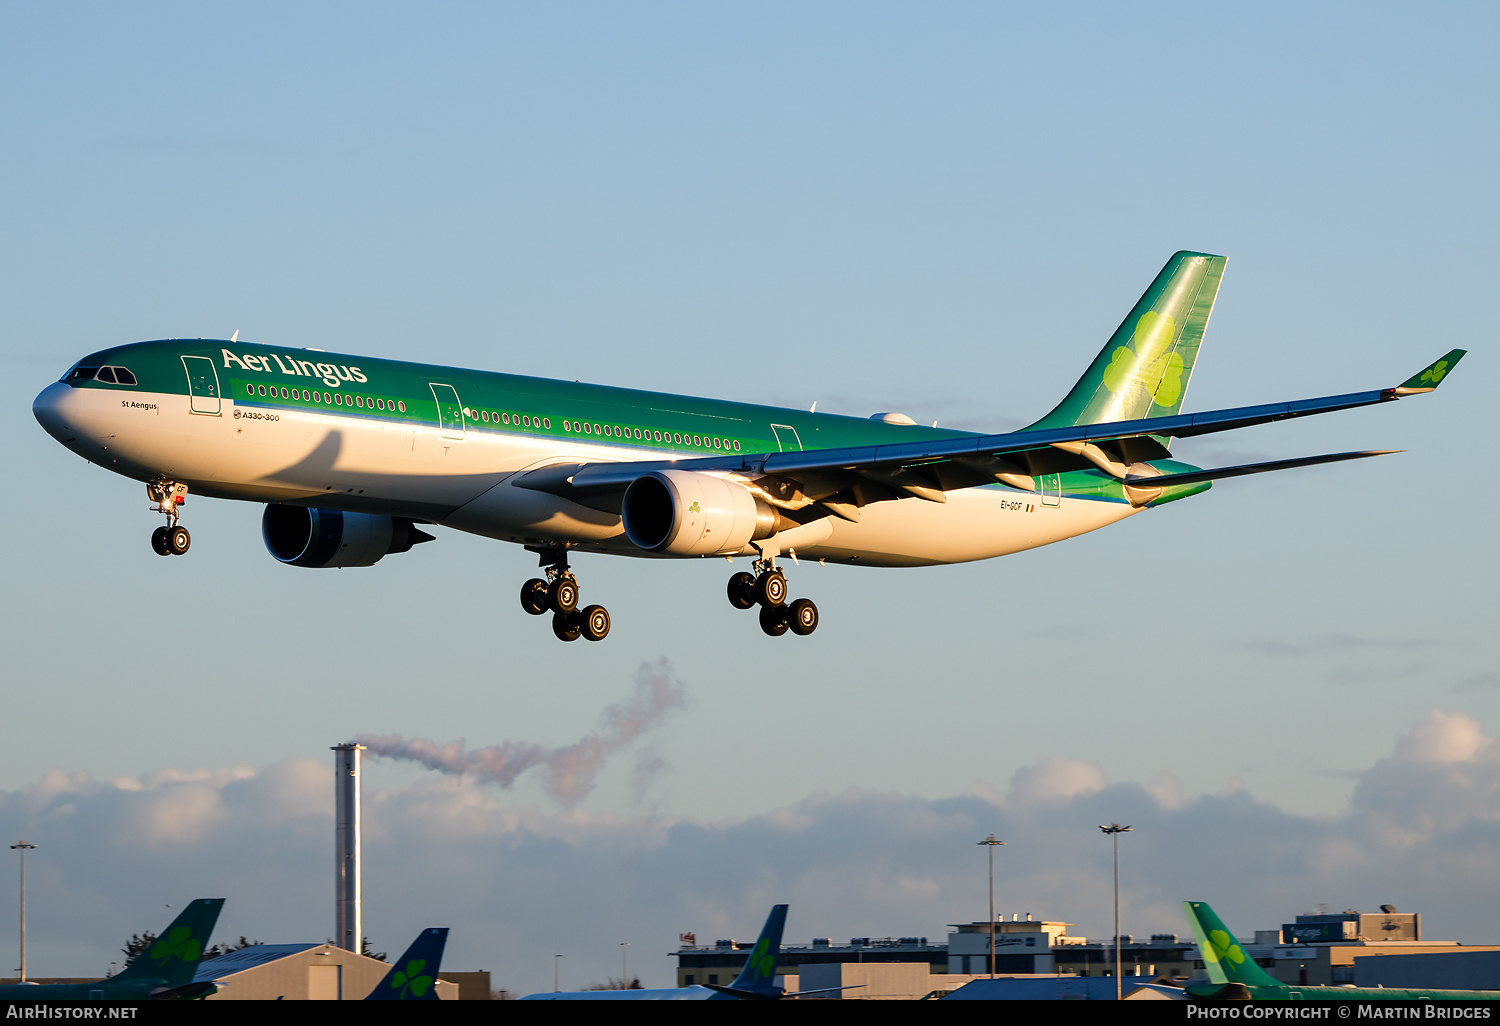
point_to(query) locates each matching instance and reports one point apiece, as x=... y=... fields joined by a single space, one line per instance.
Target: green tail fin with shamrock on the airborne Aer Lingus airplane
x=1145 y=367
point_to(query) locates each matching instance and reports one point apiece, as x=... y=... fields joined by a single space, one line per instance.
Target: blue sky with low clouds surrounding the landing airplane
x=1286 y=683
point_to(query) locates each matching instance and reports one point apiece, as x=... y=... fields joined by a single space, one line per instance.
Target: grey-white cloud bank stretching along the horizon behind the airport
x=520 y=884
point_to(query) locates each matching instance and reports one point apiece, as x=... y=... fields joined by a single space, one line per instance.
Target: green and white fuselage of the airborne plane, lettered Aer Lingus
x=443 y=446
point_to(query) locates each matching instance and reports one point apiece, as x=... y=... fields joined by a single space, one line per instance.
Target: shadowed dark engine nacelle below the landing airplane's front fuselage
x=304 y=538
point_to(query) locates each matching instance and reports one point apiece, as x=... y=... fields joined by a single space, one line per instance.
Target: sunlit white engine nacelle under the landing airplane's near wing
x=691 y=514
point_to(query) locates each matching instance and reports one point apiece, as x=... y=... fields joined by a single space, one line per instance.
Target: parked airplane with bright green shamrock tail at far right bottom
x=1234 y=976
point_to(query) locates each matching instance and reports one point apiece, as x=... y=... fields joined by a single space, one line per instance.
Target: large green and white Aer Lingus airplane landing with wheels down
x=353 y=454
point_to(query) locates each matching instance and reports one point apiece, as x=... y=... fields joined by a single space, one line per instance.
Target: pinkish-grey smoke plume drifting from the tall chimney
x=572 y=769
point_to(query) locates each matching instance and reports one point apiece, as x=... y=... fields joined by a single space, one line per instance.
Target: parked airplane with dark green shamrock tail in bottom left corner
x=164 y=971
